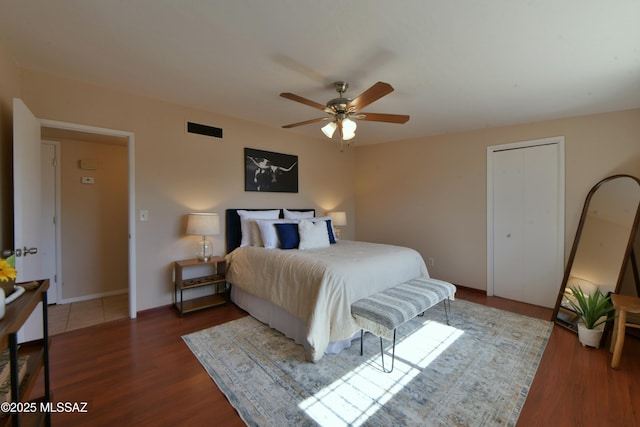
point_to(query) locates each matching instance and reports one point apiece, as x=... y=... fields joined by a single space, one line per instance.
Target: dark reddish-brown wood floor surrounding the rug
x=140 y=372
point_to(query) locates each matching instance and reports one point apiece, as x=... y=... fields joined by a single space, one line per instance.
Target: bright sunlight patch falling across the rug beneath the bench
x=355 y=397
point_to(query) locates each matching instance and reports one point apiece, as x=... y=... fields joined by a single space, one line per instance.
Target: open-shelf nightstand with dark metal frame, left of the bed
x=217 y=266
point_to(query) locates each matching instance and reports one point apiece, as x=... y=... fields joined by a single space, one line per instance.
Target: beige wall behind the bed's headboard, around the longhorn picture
x=177 y=173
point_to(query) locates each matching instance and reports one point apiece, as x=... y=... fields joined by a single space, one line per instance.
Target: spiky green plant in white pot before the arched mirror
x=593 y=310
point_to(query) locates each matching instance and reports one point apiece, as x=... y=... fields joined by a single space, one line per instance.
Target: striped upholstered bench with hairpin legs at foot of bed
x=382 y=313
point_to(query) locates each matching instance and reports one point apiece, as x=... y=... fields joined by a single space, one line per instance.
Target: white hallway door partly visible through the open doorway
x=48 y=242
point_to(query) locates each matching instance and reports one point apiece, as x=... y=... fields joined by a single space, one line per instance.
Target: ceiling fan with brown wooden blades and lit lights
x=342 y=111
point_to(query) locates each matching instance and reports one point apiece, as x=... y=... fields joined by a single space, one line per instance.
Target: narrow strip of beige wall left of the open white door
x=9 y=88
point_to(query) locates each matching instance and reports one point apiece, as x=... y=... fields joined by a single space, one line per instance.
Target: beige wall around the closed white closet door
x=430 y=193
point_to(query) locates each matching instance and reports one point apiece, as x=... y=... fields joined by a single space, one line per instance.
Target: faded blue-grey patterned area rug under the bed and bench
x=475 y=372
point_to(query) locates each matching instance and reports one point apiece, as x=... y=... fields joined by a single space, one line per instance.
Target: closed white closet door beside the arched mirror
x=526 y=224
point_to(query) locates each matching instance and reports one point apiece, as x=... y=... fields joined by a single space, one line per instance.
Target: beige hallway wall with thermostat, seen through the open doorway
x=94 y=220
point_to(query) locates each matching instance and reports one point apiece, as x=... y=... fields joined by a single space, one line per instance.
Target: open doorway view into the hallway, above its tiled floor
x=84 y=192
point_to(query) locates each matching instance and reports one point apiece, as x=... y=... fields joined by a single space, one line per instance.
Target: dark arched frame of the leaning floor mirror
x=629 y=253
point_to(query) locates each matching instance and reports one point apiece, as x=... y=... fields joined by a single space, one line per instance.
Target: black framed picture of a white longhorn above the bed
x=266 y=171
